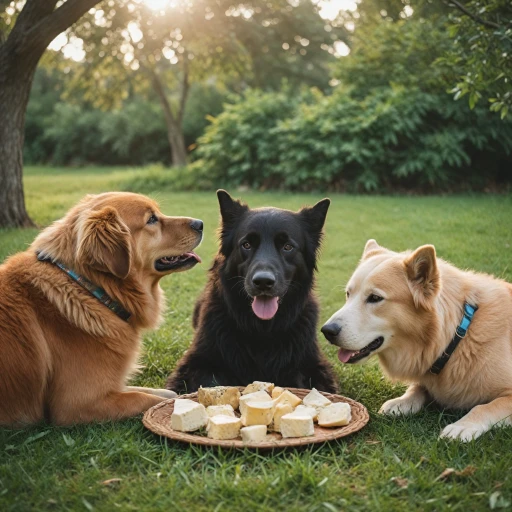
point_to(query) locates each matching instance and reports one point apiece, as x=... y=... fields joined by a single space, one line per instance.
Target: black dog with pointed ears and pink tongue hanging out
x=257 y=317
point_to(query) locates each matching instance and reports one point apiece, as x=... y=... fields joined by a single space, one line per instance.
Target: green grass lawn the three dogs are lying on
x=47 y=468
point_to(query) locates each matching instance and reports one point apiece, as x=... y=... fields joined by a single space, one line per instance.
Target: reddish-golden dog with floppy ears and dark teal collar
x=74 y=305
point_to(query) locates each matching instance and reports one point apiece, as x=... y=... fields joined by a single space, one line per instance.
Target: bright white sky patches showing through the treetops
x=73 y=48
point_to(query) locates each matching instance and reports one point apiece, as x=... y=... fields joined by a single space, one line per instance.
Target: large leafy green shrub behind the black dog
x=392 y=138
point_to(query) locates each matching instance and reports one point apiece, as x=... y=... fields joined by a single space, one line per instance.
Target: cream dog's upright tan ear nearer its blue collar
x=423 y=275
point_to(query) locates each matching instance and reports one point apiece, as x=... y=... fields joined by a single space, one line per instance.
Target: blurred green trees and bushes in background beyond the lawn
x=407 y=109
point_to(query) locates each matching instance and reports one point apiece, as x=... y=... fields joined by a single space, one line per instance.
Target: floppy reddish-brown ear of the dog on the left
x=104 y=242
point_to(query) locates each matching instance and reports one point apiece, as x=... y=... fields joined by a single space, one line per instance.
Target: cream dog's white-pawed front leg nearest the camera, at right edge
x=481 y=419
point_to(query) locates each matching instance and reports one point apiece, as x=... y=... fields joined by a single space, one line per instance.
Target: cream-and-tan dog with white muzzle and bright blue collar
x=406 y=308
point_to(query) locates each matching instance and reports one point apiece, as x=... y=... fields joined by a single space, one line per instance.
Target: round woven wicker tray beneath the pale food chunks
x=158 y=420
